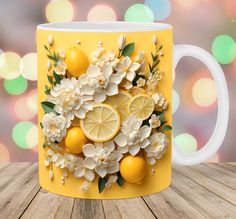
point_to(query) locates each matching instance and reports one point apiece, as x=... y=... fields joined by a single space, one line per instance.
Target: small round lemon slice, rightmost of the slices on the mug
x=141 y=106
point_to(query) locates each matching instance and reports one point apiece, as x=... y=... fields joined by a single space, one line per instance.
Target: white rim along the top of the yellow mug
x=108 y=26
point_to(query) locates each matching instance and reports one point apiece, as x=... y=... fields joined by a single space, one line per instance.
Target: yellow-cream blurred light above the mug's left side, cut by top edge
x=59 y=11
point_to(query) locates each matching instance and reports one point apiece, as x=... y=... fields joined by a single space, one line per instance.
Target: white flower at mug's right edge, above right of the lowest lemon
x=157 y=147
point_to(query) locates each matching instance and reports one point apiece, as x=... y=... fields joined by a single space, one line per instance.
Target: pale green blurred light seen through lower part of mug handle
x=186 y=143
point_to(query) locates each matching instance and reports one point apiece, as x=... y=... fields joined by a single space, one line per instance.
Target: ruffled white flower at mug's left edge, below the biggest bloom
x=54 y=127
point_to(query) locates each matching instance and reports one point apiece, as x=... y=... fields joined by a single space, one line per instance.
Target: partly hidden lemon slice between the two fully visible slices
x=120 y=102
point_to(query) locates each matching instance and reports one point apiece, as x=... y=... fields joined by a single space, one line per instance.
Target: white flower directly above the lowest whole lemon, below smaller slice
x=133 y=137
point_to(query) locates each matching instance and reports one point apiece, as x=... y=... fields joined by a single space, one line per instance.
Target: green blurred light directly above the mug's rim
x=139 y=12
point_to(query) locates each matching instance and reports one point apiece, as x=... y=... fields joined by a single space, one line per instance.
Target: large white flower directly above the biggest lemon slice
x=103 y=81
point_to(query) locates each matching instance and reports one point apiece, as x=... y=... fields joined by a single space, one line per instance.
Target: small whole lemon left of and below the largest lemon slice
x=75 y=140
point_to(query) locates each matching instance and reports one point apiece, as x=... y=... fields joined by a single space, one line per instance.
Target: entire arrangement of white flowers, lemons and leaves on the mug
x=103 y=116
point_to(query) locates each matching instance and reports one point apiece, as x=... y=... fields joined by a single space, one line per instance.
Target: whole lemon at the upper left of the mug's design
x=77 y=62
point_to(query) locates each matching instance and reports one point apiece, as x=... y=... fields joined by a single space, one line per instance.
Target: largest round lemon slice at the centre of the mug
x=101 y=124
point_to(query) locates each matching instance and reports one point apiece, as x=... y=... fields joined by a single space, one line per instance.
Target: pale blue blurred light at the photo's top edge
x=160 y=8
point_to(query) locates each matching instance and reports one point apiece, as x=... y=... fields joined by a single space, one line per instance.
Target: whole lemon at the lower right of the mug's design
x=133 y=168
